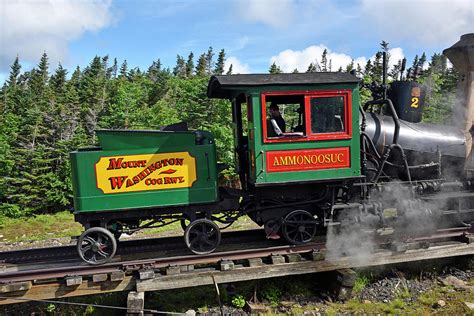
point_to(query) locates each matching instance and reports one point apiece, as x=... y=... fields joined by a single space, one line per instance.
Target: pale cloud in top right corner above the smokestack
x=427 y=21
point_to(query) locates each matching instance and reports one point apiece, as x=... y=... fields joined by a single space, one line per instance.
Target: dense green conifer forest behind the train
x=46 y=113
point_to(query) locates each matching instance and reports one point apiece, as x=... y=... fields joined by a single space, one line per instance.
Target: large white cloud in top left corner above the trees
x=27 y=28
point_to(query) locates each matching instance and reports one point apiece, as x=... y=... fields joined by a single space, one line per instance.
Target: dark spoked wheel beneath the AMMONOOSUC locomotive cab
x=299 y=227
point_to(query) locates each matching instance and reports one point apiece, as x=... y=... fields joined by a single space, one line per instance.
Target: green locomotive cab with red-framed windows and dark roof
x=319 y=139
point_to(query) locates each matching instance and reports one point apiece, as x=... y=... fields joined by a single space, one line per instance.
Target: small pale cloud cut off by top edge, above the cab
x=275 y=13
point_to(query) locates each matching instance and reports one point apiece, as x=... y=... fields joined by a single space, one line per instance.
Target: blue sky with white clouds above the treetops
x=253 y=33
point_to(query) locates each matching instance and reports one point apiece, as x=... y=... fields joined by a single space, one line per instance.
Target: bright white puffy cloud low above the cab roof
x=289 y=59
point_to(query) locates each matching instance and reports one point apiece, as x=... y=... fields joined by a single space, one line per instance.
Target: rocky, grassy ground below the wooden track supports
x=446 y=289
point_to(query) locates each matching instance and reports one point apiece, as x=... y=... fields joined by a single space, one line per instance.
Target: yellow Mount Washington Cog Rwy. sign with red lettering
x=131 y=173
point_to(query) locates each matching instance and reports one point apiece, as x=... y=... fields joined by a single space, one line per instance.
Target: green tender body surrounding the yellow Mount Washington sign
x=200 y=145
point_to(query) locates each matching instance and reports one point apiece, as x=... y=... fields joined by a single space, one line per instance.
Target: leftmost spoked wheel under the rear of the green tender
x=96 y=245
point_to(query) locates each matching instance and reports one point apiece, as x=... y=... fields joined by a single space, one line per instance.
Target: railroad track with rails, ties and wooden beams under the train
x=74 y=278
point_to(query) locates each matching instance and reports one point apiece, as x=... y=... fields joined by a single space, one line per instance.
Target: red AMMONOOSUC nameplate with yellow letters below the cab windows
x=311 y=159
